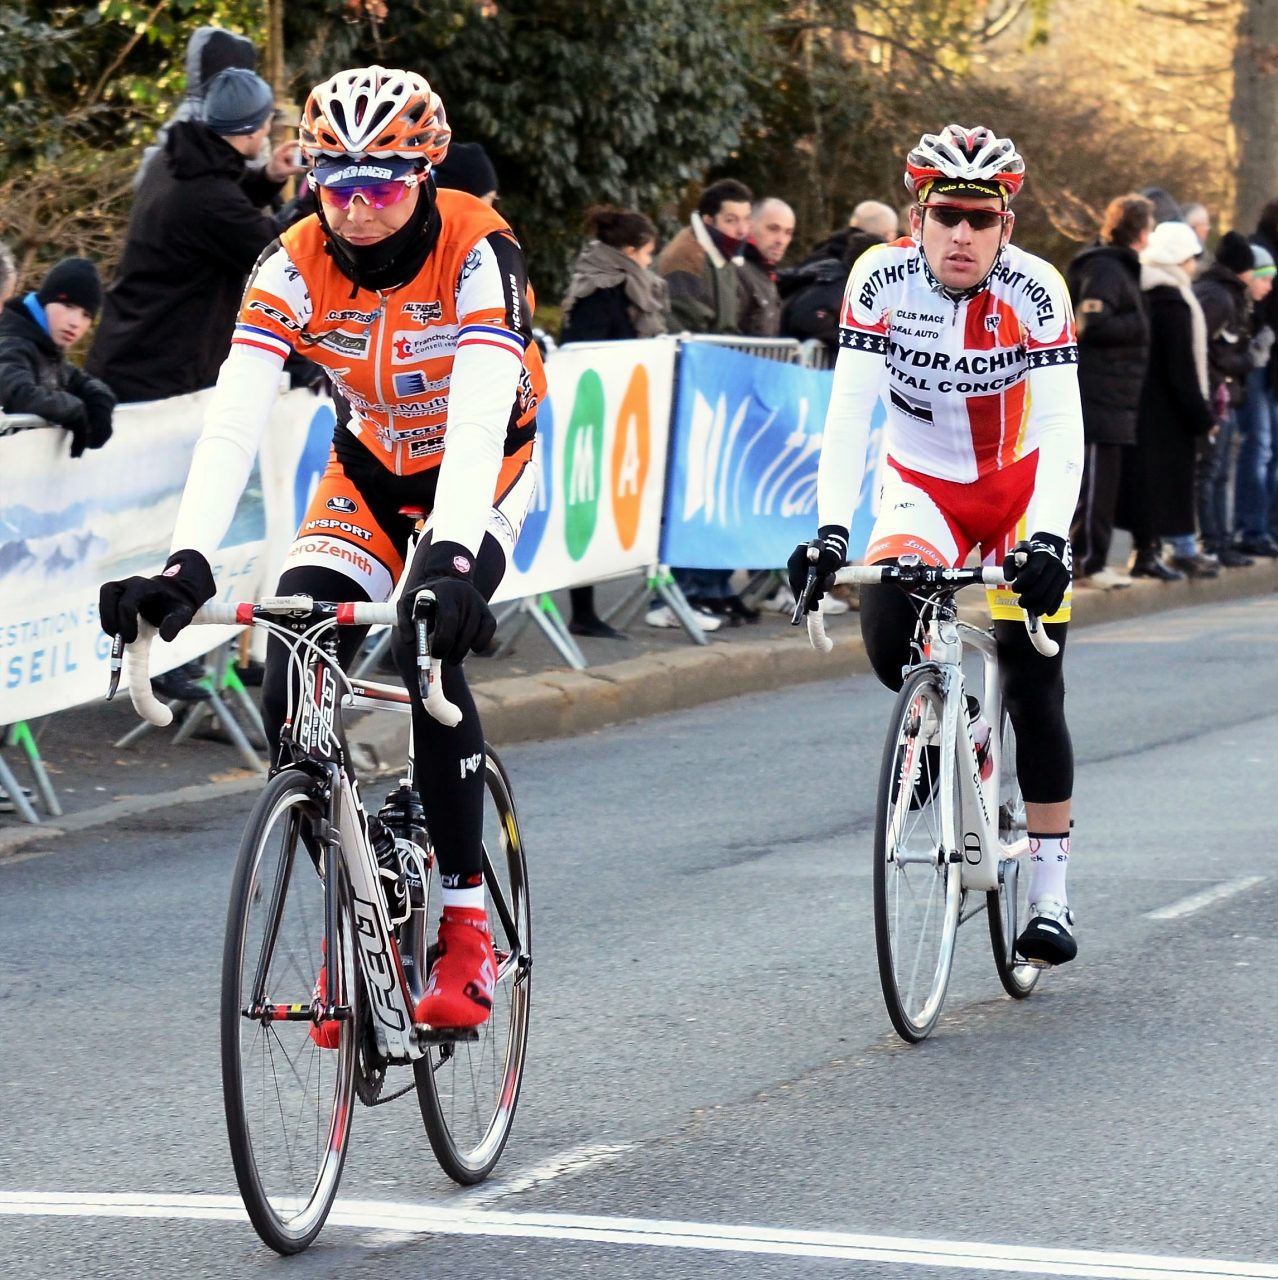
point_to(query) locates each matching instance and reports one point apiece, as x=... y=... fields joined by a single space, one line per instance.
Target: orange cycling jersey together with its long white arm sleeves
x=448 y=354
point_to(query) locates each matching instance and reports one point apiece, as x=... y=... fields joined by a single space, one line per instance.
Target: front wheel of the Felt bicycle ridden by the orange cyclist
x=287 y=1100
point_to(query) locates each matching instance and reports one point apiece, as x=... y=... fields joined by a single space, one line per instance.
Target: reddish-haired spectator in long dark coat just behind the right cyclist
x=1113 y=351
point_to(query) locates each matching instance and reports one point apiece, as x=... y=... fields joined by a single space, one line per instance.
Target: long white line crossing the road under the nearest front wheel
x=656 y=1233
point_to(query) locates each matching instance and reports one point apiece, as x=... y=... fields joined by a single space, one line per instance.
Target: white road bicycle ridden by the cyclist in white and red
x=950 y=843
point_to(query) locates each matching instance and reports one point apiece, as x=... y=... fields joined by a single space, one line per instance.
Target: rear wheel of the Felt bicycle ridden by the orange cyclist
x=469 y=1090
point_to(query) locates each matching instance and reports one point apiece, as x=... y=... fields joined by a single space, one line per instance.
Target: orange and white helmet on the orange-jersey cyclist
x=375 y=112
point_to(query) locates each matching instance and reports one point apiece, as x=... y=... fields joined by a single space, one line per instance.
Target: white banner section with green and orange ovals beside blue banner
x=603 y=455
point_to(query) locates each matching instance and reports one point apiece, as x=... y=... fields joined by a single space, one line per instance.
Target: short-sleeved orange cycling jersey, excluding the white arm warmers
x=391 y=355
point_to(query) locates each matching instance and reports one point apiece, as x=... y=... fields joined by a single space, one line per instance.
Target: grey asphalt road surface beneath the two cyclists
x=714 y=1087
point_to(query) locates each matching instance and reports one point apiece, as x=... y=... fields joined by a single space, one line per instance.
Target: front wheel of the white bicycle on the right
x=918 y=892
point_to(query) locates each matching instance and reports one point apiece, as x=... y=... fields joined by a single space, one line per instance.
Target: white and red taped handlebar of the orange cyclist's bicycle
x=352 y=614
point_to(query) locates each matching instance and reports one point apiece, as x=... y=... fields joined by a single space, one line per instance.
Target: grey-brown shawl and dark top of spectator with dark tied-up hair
x=613 y=298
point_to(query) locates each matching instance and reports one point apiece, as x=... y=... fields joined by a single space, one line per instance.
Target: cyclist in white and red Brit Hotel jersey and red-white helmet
x=970 y=342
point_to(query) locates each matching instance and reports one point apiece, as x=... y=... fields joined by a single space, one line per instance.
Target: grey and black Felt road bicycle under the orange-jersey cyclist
x=327 y=940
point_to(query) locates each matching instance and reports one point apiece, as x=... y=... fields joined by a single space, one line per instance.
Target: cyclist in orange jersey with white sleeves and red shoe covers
x=417 y=304
